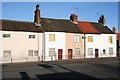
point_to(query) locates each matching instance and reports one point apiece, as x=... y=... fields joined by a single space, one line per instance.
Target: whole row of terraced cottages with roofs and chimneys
x=48 y=39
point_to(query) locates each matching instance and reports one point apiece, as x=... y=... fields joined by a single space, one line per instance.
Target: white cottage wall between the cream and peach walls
x=59 y=43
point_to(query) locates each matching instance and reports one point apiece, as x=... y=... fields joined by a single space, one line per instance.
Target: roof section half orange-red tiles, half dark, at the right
x=93 y=28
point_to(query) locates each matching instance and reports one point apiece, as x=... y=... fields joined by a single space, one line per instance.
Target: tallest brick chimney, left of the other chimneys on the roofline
x=37 y=19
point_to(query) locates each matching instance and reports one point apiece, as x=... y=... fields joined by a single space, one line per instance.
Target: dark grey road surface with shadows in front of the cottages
x=81 y=69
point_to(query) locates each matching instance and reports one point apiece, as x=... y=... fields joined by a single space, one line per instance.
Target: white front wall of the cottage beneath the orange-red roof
x=101 y=41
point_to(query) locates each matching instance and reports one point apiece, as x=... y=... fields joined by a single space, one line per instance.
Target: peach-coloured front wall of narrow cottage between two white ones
x=71 y=44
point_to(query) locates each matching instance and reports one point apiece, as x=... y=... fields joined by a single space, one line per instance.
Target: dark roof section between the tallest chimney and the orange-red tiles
x=59 y=25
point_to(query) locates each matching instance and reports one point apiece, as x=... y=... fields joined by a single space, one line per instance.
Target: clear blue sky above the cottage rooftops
x=87 y=11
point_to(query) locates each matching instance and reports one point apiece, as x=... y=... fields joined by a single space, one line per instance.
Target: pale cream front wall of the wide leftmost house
x=19 y=44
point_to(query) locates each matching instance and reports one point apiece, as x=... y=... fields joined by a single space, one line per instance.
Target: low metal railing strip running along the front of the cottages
x=49 y=58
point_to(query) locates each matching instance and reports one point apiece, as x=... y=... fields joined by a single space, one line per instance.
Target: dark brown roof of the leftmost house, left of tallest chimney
x=11 y=25
